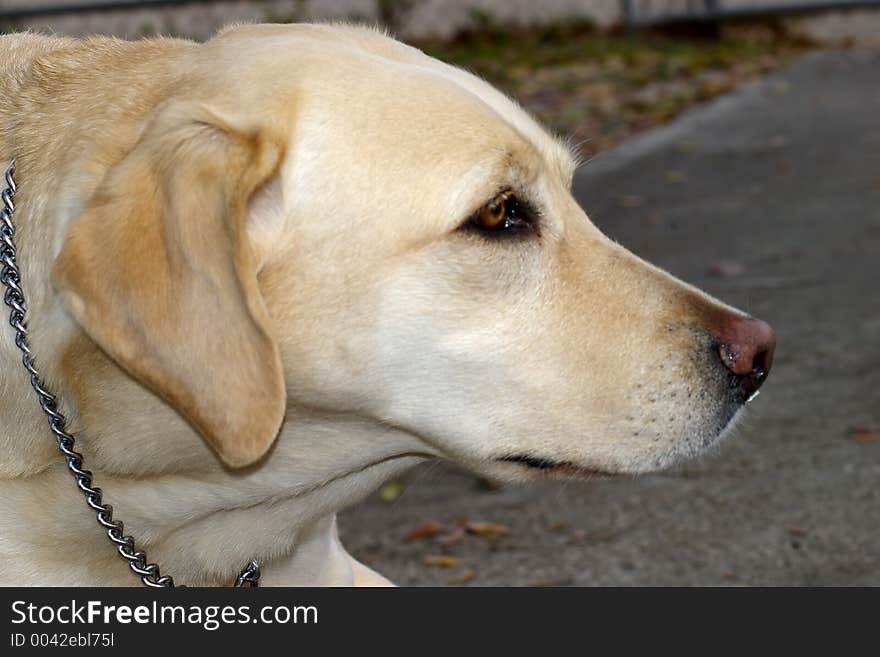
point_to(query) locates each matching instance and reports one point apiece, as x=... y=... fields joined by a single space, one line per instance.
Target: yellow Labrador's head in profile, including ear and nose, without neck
x=322 y=217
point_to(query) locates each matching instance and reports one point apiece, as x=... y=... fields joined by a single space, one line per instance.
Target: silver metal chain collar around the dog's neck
x=10 y=276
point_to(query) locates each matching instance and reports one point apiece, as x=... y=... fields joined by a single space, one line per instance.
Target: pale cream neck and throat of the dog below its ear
x=200 y=521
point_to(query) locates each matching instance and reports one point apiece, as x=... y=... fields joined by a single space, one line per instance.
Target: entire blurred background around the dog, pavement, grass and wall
x=735 y=143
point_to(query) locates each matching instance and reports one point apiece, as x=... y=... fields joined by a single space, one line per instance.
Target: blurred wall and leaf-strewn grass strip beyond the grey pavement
x=594 y=70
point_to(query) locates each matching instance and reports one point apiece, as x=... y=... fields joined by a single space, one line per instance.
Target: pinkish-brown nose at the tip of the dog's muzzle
x=746 y=347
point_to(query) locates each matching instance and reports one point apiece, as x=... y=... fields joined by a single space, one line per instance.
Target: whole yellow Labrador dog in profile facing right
x=268 y=272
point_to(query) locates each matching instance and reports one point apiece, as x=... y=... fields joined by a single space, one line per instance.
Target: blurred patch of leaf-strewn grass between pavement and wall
x=598 y=89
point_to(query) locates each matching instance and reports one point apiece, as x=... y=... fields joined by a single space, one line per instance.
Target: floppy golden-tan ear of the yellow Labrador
x=158 y=271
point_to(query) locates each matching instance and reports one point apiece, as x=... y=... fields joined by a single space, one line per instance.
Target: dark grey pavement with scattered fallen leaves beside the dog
x=768 y=198
